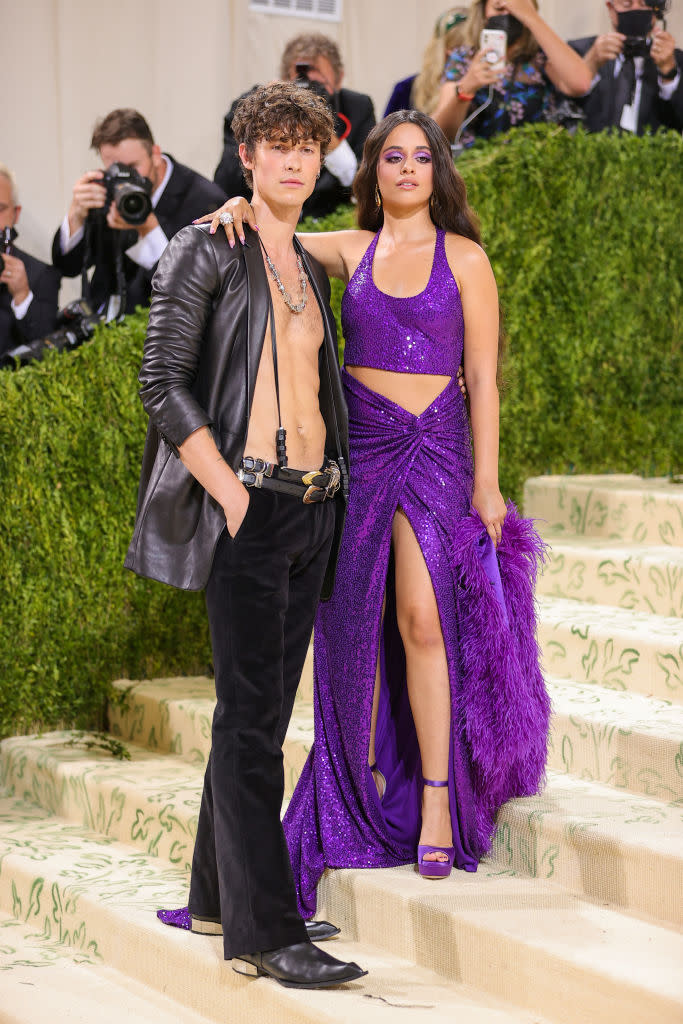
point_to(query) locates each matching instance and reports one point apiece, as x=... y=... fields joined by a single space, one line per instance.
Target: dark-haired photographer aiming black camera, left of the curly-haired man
x=104 y=227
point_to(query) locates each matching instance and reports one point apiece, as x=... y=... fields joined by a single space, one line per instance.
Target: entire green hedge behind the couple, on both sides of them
x=584 y=235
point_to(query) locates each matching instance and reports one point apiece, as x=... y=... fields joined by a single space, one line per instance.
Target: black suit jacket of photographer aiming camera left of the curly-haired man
x=187 y=196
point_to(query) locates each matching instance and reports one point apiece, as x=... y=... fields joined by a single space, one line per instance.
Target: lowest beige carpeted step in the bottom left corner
x=46 y=983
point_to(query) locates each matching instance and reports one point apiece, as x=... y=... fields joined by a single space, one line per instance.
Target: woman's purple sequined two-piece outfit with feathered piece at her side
x=500 y=709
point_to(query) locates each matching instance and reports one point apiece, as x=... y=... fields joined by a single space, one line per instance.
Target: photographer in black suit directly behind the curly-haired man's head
x=315 y=61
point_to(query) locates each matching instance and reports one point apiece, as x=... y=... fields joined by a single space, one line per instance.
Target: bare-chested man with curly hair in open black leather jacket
x=243 y=493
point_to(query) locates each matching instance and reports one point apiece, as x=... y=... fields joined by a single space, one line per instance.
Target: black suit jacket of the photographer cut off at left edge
x=41 y=315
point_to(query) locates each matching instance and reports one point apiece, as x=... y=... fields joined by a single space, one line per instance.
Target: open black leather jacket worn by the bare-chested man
x=207 y=325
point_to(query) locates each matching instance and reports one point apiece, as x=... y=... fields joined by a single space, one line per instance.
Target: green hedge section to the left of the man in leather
x=72 y=431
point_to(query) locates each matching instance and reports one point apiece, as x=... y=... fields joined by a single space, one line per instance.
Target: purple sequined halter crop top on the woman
x=421 y=334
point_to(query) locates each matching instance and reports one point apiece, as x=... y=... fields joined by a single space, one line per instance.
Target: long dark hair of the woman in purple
x=448 y=207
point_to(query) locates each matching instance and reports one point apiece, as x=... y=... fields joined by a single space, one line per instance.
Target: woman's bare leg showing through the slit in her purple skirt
x=428 y=677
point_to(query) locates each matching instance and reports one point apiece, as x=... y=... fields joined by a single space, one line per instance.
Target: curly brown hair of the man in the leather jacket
x=283 y=111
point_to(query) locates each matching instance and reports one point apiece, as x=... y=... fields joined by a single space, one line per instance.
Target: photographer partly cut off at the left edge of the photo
x=29 y=288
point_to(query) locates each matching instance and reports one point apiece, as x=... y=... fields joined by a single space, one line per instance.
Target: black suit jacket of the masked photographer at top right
x=601 y=105
